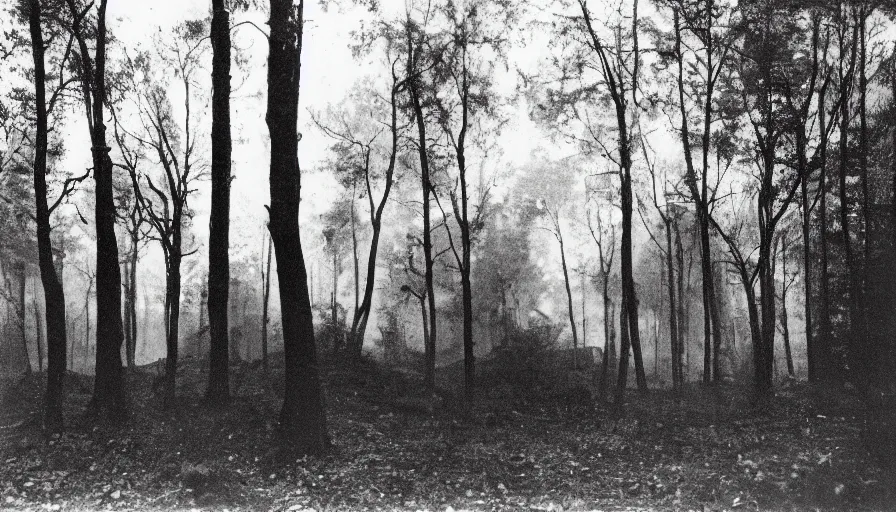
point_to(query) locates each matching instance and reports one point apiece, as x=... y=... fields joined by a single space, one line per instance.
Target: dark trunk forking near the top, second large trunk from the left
x=108 y=393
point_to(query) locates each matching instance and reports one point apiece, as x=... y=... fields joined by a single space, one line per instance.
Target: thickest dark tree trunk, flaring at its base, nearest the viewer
x=302 y=418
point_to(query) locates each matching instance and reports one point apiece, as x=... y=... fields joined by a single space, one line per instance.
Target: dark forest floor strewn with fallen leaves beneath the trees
x=393 y=450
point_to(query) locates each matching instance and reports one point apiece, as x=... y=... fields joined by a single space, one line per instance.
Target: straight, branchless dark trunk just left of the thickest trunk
x=219 y=217
